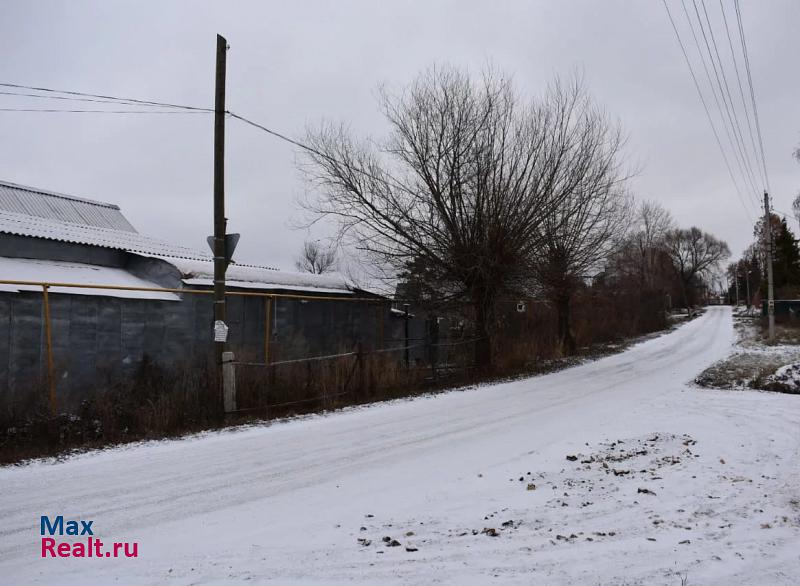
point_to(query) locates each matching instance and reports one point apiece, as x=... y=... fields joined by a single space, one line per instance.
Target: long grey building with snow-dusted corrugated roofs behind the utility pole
x=100 y=335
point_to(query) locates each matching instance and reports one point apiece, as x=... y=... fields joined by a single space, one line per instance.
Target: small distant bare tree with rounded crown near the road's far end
x=695 y=254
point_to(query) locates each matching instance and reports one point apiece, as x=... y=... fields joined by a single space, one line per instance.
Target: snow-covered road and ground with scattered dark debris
x=613 y=472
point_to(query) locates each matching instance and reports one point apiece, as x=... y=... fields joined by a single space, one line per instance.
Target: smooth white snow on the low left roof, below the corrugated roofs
x=54 y=271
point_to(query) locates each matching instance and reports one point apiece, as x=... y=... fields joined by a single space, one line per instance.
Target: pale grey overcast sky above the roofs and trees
x=294 y=63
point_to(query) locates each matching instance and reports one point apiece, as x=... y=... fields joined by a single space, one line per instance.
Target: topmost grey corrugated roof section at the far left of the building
x=64 y=208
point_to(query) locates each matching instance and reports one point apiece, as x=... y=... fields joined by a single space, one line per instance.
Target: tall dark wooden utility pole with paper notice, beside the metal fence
x=220 y=331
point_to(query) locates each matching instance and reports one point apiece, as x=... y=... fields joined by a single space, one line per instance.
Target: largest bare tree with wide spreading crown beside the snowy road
x=463 y=184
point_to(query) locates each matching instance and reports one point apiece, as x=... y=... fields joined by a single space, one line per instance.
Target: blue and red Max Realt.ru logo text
x=87 y=547
